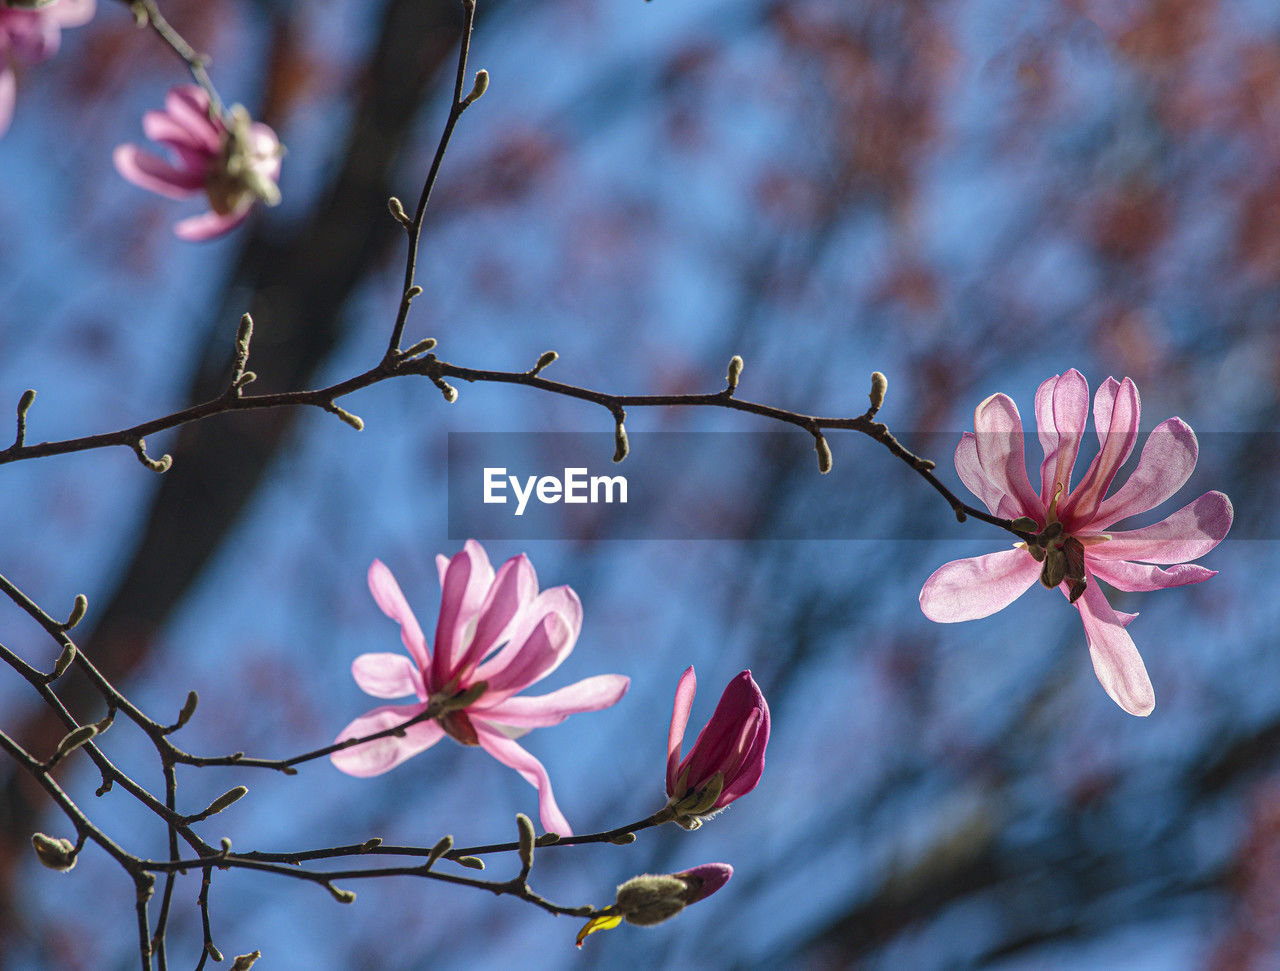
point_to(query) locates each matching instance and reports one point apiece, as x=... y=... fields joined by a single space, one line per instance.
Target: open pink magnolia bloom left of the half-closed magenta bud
x=495 y=638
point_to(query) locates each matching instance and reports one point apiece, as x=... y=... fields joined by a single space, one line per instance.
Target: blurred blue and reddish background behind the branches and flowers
x=967 y=195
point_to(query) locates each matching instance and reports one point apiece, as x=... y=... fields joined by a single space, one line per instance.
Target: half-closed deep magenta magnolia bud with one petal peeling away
x=728 y=759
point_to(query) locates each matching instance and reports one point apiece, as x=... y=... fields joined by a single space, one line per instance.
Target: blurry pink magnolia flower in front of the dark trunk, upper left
x=235 y=162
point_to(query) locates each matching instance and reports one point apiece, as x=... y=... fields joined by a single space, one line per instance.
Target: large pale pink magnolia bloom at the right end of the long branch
x=1076 y=546
